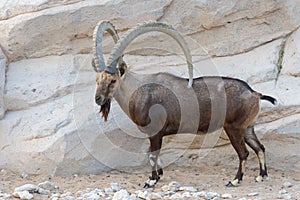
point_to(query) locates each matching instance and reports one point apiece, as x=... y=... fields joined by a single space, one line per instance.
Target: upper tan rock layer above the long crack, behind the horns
x=221 y=28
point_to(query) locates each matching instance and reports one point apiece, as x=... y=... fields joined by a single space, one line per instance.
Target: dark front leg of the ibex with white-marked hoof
x=155 y=146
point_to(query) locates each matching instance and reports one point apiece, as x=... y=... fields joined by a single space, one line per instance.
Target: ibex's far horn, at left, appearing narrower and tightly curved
x=98 y=60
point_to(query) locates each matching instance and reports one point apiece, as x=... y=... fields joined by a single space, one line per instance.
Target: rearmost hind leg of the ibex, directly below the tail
x=252 y=140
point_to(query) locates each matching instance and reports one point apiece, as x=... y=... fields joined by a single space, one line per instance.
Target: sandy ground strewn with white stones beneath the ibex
x=177 y=183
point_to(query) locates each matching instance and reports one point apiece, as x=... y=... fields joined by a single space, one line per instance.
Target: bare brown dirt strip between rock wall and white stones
x=209 y=179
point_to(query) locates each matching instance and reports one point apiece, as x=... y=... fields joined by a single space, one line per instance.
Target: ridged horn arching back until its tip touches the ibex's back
x=144 y=28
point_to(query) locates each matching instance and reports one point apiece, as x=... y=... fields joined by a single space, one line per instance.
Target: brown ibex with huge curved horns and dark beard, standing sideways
x=162 y=104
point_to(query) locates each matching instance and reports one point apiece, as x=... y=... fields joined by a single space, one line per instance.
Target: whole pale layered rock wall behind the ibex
x=51 y=123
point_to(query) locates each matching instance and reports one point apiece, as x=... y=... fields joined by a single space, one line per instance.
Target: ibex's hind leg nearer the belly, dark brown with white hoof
x=236 y=137
